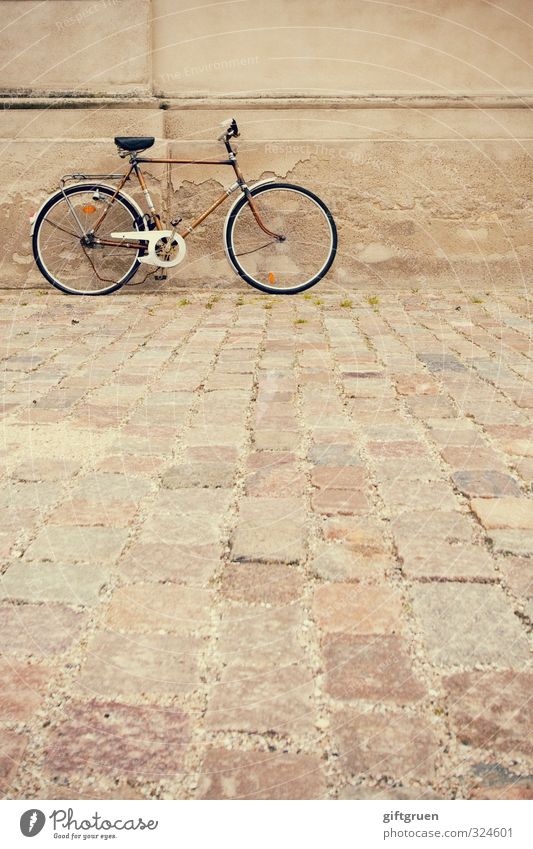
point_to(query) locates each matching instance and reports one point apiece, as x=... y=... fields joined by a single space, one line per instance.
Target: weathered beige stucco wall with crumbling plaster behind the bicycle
x=412 y=120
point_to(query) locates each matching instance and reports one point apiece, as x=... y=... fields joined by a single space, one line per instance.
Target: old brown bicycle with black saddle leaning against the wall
x=90 y=238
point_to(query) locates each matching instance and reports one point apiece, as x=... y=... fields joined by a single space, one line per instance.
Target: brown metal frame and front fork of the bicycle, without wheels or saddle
x=134 y=167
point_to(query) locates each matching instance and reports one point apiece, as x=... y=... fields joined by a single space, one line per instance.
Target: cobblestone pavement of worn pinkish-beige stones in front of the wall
x=259 y=547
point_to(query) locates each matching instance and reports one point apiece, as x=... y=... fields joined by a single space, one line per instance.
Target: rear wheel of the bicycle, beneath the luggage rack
x=79 y=269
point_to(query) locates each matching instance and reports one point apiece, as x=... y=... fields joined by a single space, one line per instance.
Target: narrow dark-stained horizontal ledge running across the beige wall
x=68 y=100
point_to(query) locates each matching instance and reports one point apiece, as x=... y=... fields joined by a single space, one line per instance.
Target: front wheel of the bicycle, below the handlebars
x=281 y=267
